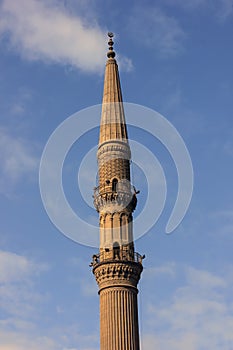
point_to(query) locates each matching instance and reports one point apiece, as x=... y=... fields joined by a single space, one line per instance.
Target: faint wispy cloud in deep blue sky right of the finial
x=158 y=31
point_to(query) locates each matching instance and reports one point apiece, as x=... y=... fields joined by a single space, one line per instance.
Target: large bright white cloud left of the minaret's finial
x=45 y=30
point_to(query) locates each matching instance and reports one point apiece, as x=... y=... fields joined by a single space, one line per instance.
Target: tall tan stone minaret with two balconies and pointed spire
x=117 y=267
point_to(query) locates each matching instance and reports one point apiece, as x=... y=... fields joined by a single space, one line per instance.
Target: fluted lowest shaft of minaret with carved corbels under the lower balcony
x=118 y=304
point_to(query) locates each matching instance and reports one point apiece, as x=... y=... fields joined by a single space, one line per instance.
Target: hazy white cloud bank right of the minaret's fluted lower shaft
x=196 y=315
